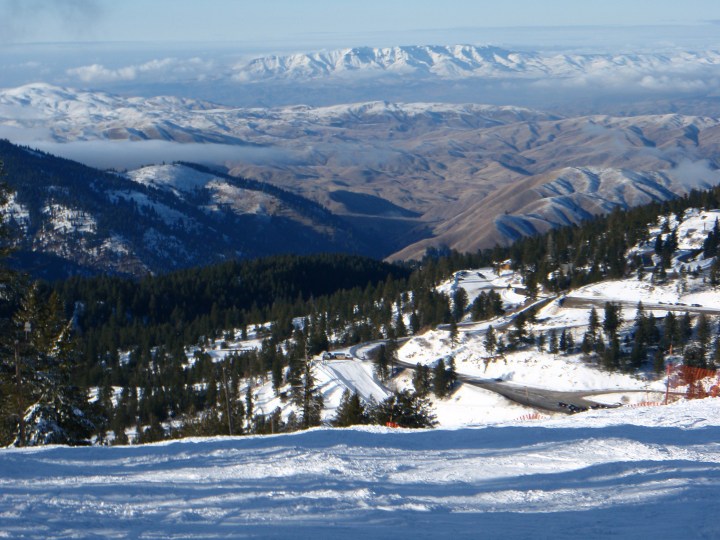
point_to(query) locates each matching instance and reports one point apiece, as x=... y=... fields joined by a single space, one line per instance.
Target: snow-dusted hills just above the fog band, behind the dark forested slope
x=75 y=115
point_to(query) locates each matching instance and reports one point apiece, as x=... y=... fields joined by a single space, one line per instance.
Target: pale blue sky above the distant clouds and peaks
x=286 y=20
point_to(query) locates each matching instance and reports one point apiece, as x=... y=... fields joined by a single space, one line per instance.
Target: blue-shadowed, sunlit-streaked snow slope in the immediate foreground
x=628 y=473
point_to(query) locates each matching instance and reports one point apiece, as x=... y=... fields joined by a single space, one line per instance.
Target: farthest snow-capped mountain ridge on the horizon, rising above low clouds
x=459 y=61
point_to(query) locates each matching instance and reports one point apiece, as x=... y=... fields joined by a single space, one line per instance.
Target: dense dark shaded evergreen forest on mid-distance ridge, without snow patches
x=179 y=308
